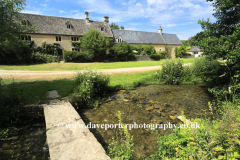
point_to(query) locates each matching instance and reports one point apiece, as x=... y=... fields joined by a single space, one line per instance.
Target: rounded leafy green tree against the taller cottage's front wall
x=94 y=42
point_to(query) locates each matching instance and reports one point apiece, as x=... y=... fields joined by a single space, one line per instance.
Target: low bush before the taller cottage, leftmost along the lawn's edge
x=42 y=58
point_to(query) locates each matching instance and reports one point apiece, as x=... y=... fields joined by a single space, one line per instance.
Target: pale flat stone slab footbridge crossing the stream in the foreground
x=70 y=143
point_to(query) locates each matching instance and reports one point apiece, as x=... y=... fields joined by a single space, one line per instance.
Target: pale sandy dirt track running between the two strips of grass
x=49 y=75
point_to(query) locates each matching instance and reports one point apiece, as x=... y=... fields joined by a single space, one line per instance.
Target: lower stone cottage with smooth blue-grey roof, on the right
x=158 y=39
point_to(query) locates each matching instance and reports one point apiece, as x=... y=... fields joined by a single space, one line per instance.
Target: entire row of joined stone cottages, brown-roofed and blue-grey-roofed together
x=64 y=31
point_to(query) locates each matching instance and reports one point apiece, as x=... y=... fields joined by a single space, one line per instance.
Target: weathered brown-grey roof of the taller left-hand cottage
x=57 y=25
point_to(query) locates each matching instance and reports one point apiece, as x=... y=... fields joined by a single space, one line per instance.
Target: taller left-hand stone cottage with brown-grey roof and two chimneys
x=62 y=30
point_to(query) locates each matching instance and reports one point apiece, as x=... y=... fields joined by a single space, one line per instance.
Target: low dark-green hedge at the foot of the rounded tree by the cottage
x=74 y=56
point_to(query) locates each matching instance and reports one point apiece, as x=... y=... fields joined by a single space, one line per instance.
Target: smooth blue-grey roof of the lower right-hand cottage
x=141 y=37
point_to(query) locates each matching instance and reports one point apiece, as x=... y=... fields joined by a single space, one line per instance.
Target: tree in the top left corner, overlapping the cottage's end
x=10 y=27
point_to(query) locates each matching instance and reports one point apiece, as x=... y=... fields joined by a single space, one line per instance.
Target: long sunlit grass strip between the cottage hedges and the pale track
x=82 y=66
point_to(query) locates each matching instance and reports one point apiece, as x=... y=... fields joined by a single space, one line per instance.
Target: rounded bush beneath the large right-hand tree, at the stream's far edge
x=208 y=70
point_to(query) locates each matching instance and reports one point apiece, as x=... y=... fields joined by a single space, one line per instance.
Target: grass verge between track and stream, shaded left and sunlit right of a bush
x=34 y=91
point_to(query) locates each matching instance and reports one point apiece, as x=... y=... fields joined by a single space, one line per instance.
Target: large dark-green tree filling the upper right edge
x=221 y=39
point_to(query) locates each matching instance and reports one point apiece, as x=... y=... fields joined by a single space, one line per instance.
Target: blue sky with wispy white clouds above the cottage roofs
x=178 y=17
